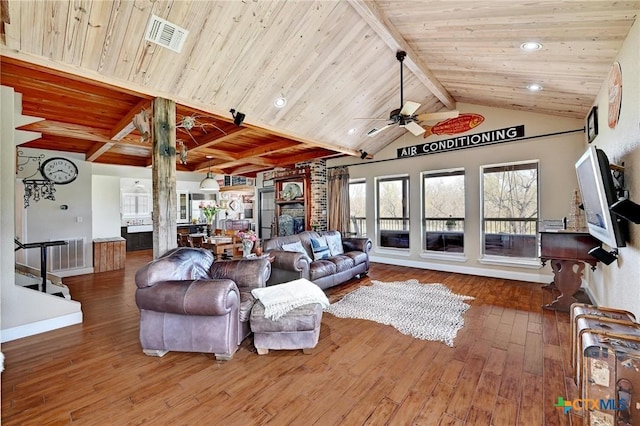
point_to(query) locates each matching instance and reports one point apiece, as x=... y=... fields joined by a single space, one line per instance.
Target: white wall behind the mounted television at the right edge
x=617 y=285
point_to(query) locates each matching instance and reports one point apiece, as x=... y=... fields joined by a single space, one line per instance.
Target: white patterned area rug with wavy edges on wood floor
x=424 y=311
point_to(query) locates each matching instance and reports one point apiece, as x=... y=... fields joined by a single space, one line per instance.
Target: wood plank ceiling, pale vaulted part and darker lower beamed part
x=86 y=68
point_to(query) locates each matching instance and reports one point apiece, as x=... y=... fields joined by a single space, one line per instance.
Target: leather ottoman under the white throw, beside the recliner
x=297 y=329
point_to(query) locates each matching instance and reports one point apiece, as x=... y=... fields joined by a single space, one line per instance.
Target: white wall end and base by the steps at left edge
x=23 y=311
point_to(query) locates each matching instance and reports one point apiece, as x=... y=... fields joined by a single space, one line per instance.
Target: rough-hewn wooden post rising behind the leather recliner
x=164 y=176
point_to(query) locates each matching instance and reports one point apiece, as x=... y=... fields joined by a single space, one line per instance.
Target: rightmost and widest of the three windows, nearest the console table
x=510 y=210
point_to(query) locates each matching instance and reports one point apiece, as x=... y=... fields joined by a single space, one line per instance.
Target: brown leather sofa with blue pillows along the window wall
x=327 y=272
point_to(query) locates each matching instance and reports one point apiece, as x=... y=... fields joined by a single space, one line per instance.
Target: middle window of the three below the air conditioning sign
x=443 y=210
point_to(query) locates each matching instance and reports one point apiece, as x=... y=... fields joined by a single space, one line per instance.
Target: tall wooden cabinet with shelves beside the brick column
x=292 y=205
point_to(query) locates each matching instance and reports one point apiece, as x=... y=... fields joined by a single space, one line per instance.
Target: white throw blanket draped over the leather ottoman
x=280 y=299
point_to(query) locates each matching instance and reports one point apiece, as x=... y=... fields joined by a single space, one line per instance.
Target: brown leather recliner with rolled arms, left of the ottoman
x=188 y=303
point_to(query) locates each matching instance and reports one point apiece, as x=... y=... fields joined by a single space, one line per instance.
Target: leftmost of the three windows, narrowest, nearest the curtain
x=392 y=204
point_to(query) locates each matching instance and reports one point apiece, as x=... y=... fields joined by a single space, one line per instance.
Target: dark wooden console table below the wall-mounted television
x=568 y=252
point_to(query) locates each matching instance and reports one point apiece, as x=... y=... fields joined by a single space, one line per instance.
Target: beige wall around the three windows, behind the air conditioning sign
x=557 y=179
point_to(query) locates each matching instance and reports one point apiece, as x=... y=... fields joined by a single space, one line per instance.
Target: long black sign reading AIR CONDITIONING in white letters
x=462 y=142
